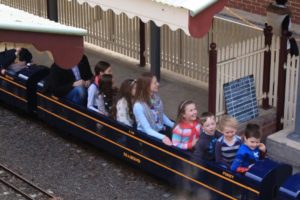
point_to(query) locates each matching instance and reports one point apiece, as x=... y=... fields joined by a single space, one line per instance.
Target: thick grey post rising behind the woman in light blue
x=155 y=50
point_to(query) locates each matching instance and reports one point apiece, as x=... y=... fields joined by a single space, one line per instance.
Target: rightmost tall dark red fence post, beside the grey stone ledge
x=281 y=80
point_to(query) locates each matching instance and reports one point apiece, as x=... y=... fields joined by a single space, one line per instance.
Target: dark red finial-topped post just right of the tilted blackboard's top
x=267 y=66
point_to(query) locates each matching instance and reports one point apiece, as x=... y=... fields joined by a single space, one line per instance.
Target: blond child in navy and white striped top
x=229 y=143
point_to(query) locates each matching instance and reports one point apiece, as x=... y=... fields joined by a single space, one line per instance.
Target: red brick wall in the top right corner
x=259 y=7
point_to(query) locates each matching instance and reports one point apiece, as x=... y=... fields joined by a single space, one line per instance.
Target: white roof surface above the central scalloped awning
x=194 y=6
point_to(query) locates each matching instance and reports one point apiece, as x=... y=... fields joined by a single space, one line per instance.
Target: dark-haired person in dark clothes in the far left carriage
x=15 y=60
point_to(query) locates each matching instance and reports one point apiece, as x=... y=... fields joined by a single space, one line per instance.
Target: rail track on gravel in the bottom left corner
x=22 y=186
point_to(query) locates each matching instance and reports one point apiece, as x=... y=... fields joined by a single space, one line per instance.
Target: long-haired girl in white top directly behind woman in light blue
x=122 y=108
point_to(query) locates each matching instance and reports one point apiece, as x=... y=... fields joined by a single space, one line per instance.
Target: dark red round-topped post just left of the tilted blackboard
x=212 y=83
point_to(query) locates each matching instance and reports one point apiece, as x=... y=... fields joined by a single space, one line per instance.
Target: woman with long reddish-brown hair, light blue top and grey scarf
x=148 y=109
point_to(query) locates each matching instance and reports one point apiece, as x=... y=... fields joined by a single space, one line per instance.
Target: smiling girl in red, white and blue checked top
x=187 y=129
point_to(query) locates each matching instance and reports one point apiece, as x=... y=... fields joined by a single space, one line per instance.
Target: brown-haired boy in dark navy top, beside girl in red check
x=205 y=147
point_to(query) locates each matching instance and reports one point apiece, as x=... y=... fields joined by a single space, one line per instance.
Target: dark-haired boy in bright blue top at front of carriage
x=249 y=152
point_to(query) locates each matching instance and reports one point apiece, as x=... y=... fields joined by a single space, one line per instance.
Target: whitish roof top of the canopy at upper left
x=14 y=19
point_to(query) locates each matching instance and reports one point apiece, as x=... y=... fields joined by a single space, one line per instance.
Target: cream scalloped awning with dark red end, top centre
x=194 y=17
